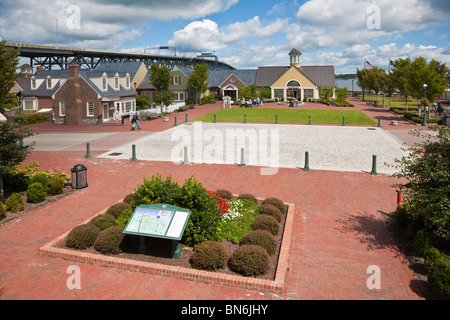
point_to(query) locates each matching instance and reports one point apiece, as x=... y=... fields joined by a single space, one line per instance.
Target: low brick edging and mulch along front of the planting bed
x=157 y=262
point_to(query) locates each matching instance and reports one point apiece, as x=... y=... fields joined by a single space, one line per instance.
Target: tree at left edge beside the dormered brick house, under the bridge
x=8 y=76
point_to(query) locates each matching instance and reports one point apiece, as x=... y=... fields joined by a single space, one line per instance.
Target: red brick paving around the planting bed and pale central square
x=337 y=229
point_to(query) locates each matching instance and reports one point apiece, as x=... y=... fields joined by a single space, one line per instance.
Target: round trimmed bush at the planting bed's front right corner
x=249 y=260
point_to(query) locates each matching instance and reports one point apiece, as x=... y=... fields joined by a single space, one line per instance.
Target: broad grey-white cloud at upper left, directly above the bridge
x=33 y=21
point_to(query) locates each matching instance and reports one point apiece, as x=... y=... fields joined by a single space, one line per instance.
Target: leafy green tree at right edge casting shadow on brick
x=427 y=172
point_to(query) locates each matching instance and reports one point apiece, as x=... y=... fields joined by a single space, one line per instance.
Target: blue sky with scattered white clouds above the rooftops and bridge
x=243 y=33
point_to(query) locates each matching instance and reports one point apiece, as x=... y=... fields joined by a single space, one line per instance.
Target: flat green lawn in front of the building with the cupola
x=352 y=117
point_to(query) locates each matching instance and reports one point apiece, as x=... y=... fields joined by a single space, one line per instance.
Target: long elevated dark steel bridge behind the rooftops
x=51 y=57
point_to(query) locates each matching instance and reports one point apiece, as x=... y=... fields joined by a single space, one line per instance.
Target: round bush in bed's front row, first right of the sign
x=209 y=255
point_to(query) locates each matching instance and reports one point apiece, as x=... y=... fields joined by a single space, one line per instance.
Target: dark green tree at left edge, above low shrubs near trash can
x=12 y=149
